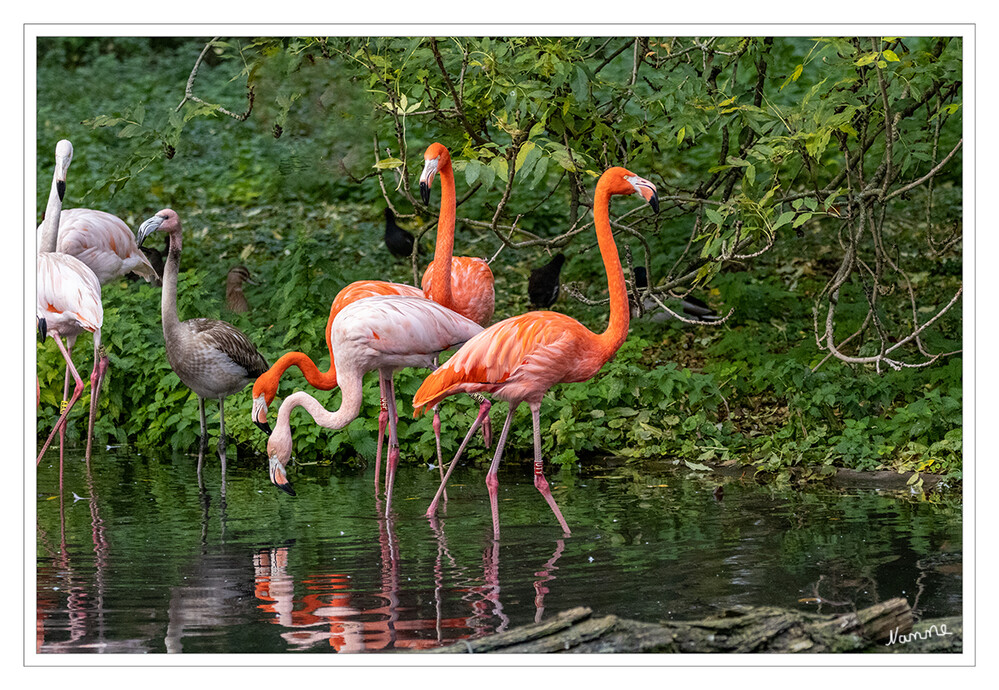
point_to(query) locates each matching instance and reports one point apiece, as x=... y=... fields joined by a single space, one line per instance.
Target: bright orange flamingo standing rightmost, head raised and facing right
x=520 y=358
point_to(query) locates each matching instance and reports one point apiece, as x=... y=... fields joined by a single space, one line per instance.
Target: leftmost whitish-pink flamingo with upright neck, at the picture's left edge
x=68 y=302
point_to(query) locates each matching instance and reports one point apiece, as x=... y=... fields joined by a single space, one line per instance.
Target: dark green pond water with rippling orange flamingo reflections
x=135 y=557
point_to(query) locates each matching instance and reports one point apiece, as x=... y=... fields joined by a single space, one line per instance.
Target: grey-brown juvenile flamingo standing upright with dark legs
x=211 y=357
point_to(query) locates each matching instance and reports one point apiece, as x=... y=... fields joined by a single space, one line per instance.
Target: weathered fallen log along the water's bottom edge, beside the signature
x=885 y=627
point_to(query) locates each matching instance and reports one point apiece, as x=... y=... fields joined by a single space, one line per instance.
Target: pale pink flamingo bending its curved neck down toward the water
x=382 y=333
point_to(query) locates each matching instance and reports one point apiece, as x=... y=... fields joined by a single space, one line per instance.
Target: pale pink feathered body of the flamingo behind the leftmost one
x=102 y=241
